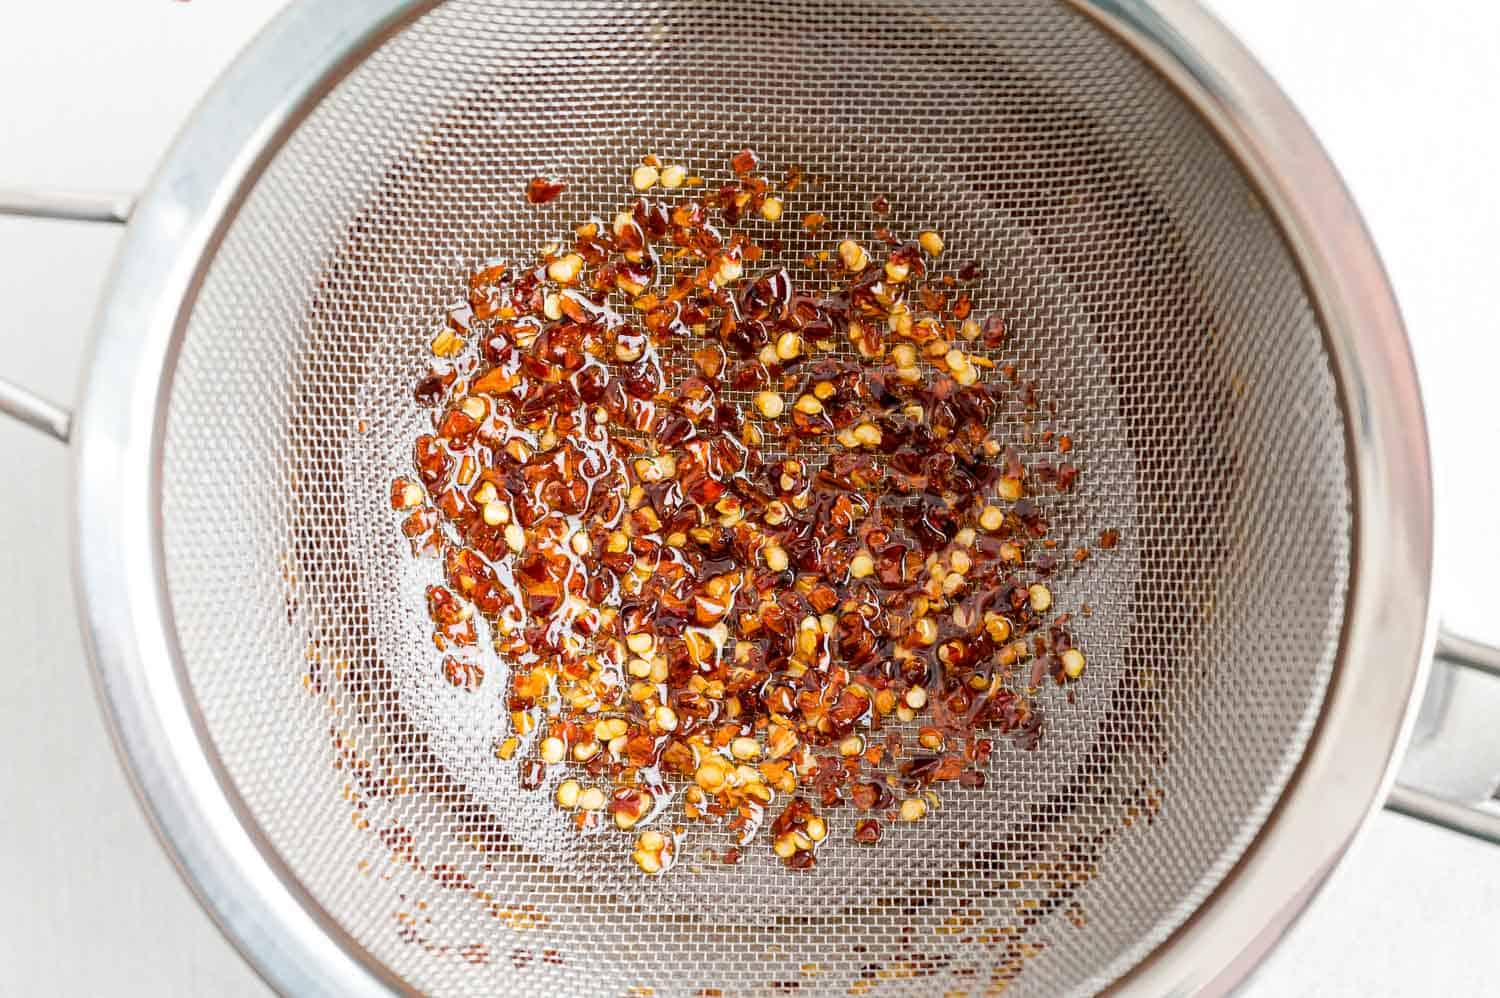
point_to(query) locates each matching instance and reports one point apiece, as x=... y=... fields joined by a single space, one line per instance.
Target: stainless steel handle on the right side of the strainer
x=1451 y=774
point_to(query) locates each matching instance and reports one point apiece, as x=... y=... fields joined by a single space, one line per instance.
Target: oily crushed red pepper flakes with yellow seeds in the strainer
x=742 y=544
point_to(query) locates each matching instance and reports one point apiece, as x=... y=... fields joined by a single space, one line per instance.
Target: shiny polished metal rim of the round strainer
x=119 y=559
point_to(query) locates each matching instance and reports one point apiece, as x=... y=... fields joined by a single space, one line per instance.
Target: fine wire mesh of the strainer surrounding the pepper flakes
x=1147 y=292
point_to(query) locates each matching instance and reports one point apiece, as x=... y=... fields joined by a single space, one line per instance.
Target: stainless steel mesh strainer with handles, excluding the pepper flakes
x=1181 y=269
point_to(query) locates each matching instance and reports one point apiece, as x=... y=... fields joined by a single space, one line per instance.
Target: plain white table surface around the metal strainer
x=1406 y=98
